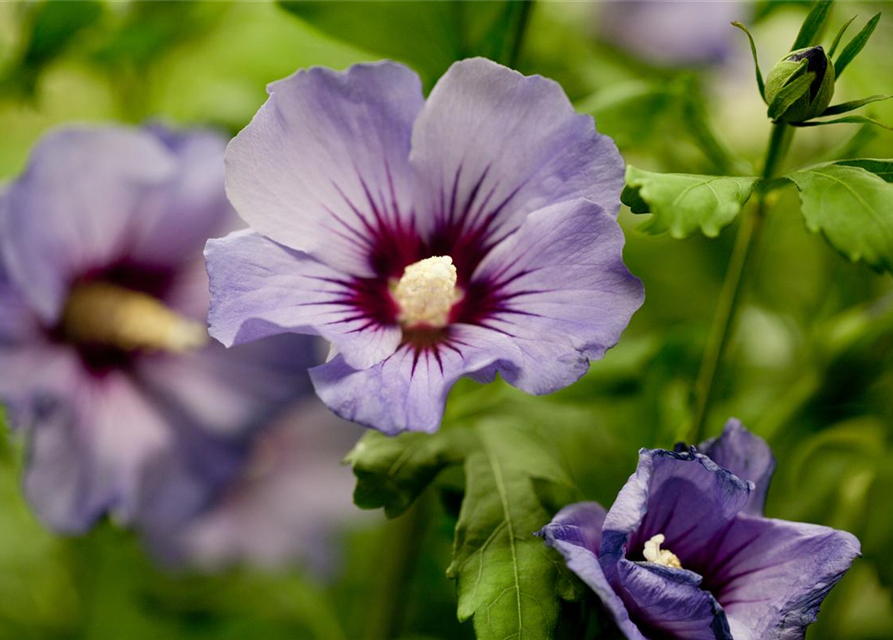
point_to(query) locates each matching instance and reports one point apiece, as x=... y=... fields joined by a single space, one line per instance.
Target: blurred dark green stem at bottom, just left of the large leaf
x=402 y=545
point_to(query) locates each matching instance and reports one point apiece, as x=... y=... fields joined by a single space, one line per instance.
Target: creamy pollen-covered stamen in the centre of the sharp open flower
x=427 y=291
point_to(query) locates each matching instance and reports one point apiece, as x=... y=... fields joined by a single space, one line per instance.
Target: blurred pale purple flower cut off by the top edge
x=671 y=33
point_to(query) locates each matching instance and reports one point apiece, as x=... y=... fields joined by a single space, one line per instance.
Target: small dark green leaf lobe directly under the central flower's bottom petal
x=392 y=471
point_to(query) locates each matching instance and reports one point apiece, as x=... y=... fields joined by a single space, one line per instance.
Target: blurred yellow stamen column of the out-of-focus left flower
x=106 y=314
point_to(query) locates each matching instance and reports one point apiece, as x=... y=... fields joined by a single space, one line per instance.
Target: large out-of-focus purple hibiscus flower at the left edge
x=104 y=361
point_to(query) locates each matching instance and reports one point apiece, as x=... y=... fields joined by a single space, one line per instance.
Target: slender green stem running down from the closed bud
x=730 y=295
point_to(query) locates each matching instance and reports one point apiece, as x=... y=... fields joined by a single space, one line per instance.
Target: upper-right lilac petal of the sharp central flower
x=492 y=145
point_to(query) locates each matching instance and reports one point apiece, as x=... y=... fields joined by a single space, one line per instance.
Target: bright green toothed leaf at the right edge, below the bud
x=852 y=207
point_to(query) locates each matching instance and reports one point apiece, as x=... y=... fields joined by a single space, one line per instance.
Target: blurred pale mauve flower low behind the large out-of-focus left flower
x=282 y=509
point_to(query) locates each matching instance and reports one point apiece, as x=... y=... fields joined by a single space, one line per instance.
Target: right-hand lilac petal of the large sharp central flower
x=562 y=293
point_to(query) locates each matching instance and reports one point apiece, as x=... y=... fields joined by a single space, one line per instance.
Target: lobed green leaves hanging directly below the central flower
x=507 y=580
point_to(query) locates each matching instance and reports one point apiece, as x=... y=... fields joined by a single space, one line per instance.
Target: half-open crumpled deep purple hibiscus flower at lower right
x=685 y=551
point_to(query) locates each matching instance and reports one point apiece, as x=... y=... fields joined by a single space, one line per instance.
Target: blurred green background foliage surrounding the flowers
x=811 y=362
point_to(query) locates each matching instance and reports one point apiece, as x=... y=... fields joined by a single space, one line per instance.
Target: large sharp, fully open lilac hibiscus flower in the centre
x=469 y=233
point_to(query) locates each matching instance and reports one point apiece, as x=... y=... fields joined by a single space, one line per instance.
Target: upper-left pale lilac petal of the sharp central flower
x=325 y=161
